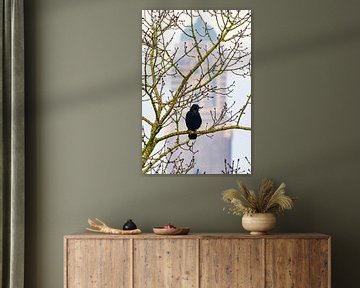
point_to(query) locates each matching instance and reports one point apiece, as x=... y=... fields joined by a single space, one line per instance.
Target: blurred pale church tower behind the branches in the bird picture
x=212 y=149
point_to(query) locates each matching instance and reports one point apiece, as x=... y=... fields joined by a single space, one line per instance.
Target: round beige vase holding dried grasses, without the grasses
x=259 y=223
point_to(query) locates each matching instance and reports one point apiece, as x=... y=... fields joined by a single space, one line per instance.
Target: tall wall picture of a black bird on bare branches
x=196 y=91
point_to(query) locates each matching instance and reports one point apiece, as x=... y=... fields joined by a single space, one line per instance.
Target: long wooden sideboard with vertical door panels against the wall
x=197 y=260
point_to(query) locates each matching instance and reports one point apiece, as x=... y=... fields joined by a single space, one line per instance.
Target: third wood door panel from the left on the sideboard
x=231 y=263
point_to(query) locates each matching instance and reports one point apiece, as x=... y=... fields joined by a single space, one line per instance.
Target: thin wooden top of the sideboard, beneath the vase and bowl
x=88 y=235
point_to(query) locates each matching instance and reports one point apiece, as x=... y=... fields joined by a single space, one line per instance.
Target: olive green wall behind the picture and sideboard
x=83 y=126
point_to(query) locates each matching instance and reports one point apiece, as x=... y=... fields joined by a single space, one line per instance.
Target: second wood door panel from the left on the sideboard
x=166 y=263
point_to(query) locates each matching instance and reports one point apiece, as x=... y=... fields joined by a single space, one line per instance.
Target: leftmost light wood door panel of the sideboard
x=98 y=264
